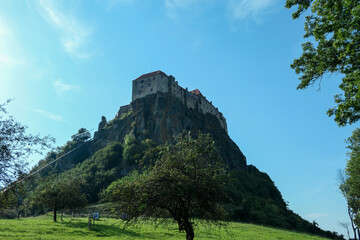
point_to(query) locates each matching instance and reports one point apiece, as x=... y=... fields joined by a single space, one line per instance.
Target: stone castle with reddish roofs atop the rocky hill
x=158 y=81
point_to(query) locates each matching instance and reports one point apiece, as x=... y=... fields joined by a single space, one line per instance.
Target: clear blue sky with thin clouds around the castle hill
x=67 y=63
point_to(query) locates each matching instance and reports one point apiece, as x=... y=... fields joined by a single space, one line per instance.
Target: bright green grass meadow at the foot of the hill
x=44 y=228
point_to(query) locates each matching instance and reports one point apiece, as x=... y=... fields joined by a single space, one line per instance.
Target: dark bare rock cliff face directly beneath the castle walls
x=160 y=117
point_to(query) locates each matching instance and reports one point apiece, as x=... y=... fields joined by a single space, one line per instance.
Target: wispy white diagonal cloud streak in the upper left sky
x=74 y=34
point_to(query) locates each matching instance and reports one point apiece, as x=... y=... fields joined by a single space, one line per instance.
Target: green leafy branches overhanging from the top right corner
x=333 y=31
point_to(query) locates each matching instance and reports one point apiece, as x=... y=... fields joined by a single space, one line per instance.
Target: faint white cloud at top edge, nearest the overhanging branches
x=249 y=9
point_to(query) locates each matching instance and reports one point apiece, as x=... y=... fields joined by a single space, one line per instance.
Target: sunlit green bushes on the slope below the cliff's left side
x=103 y=167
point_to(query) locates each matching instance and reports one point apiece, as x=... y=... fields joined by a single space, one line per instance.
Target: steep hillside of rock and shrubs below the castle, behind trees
x=155 y=119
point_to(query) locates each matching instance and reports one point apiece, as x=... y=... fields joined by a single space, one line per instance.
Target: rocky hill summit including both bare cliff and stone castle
x=161 y=109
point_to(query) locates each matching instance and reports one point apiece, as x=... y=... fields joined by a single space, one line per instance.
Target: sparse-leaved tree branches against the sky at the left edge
x=15 y=146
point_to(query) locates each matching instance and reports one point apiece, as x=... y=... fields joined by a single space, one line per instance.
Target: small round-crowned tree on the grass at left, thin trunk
x=64 y=192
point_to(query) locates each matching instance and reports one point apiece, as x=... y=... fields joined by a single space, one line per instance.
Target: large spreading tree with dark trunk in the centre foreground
x=185 y=183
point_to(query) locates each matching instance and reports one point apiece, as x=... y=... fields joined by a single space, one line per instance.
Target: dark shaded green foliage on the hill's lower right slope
x=253 y=198
